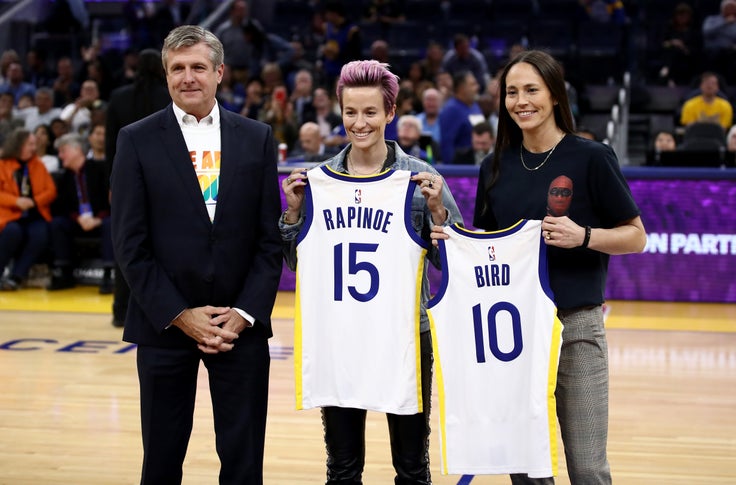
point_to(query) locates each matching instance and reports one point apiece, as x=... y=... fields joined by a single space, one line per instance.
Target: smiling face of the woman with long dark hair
x=528 y=99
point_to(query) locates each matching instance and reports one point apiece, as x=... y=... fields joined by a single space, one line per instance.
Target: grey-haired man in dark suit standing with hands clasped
x=195 y=205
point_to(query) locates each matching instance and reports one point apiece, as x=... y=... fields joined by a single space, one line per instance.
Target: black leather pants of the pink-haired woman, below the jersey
x=345 y=436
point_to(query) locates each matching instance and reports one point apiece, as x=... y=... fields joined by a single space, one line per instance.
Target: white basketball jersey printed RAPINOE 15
x=358 y=288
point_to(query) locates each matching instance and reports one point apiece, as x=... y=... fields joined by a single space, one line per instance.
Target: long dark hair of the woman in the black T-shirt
x=509 y=133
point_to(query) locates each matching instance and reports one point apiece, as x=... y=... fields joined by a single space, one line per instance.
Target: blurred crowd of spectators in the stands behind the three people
x=447 y=106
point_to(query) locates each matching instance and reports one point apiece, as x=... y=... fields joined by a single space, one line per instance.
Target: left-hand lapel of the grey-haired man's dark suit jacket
x=178 y=155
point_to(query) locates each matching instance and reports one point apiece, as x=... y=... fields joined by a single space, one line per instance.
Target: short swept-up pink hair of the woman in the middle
x=369 y=74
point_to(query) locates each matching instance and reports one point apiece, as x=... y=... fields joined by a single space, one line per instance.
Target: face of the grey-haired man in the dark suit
x=193 y=79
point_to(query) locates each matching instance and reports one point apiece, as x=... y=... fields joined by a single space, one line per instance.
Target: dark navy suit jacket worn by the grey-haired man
x=172 y=256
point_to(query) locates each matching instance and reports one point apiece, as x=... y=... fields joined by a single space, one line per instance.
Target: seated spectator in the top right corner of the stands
x=719 y=39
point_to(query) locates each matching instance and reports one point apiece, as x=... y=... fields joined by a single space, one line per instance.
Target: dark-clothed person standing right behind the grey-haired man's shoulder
x=132 y=102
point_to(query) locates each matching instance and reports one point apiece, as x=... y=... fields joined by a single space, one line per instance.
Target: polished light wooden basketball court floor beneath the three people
x=69 y=399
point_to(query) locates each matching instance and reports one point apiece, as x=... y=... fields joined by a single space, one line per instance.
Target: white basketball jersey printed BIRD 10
x=497 y=341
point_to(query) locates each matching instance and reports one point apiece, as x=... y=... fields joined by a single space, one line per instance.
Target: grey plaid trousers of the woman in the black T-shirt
x=582 y=398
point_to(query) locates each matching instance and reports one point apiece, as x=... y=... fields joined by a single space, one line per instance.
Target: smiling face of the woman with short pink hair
x=364 y=116
